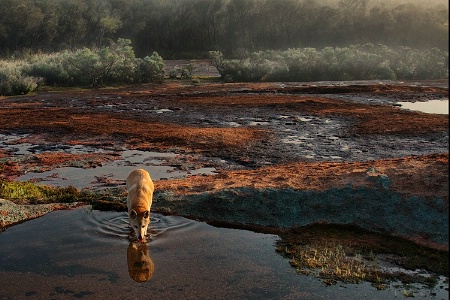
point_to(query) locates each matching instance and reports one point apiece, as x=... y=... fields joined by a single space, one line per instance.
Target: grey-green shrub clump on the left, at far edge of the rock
x=115 y=64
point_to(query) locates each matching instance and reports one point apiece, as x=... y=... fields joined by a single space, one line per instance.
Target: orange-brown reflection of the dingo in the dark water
x=140 y=265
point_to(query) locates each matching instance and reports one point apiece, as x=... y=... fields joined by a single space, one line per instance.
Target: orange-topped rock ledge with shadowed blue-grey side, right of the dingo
x=405 y=197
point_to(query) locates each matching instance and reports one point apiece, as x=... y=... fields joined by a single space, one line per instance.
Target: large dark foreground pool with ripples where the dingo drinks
x=86 y=254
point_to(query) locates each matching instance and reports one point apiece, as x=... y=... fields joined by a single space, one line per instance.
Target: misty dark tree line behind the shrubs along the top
x=191 y=28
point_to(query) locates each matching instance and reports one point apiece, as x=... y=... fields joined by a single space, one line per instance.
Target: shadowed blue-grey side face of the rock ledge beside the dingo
x=423 y=220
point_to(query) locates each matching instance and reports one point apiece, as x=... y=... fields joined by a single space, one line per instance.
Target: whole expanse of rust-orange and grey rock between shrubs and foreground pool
x=286 y=154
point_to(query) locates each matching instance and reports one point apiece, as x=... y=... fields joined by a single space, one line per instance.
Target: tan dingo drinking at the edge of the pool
x=139 y=201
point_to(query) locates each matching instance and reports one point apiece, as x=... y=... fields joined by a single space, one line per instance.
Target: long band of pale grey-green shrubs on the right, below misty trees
x=356 y=62
